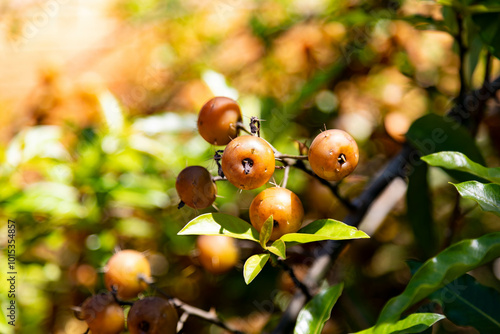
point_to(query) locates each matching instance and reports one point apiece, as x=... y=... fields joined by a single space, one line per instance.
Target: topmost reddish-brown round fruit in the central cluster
x=217 y=120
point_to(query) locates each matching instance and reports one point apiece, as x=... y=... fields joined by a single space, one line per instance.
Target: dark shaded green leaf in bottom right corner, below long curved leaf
x=465 y=302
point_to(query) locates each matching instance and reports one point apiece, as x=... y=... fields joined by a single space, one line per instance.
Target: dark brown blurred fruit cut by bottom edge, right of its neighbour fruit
x=152 y=315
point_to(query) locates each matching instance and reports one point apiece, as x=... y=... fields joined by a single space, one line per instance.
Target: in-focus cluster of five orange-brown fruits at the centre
x=248 y=162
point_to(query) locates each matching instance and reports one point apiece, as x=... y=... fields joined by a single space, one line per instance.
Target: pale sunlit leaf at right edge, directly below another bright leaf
x=487 y=195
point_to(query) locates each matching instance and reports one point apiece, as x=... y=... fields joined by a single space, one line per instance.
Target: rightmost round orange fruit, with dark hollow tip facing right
x=333 y=155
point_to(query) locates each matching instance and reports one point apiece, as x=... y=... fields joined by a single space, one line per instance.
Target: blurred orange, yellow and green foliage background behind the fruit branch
x=98 y=107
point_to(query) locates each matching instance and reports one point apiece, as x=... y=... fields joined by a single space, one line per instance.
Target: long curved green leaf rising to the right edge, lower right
x=442 y=269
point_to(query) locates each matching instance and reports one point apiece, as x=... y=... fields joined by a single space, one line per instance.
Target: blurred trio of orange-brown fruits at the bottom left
x=126 y=275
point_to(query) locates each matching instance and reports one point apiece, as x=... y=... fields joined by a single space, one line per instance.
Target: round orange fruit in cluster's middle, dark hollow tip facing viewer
x=253 y=149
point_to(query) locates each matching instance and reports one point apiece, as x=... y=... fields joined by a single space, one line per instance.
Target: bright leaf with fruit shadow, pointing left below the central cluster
x=218 y=223
